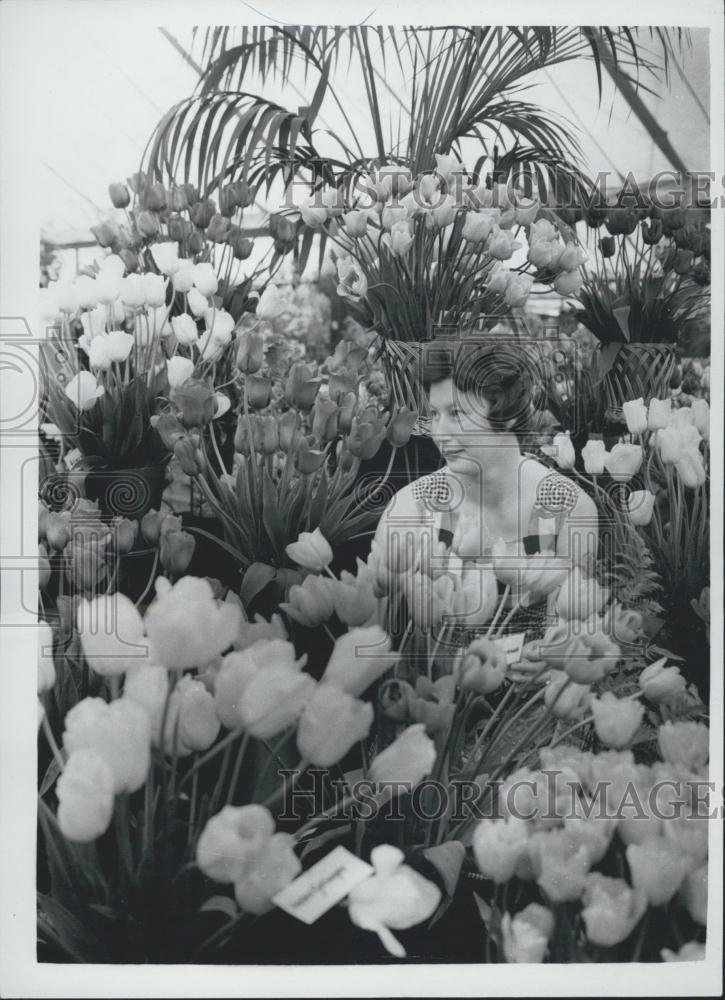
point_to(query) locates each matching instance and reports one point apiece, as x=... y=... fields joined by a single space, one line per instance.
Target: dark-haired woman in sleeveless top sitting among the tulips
x=492 y=506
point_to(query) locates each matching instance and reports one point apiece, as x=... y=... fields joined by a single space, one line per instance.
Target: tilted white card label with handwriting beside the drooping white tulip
x=322 y=886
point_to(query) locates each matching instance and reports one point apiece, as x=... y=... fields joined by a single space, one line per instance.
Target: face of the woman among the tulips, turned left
x=459 y=426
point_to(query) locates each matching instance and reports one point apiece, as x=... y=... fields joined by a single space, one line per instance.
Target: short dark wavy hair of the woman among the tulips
x=497 y=374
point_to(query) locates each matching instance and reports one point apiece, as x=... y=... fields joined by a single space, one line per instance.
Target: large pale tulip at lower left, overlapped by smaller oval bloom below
x=120 y=732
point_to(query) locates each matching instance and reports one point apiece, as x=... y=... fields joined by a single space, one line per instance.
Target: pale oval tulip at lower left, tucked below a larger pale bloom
x=85 y=796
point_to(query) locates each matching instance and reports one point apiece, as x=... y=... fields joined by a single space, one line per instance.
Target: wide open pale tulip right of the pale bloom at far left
x=186 y=626
